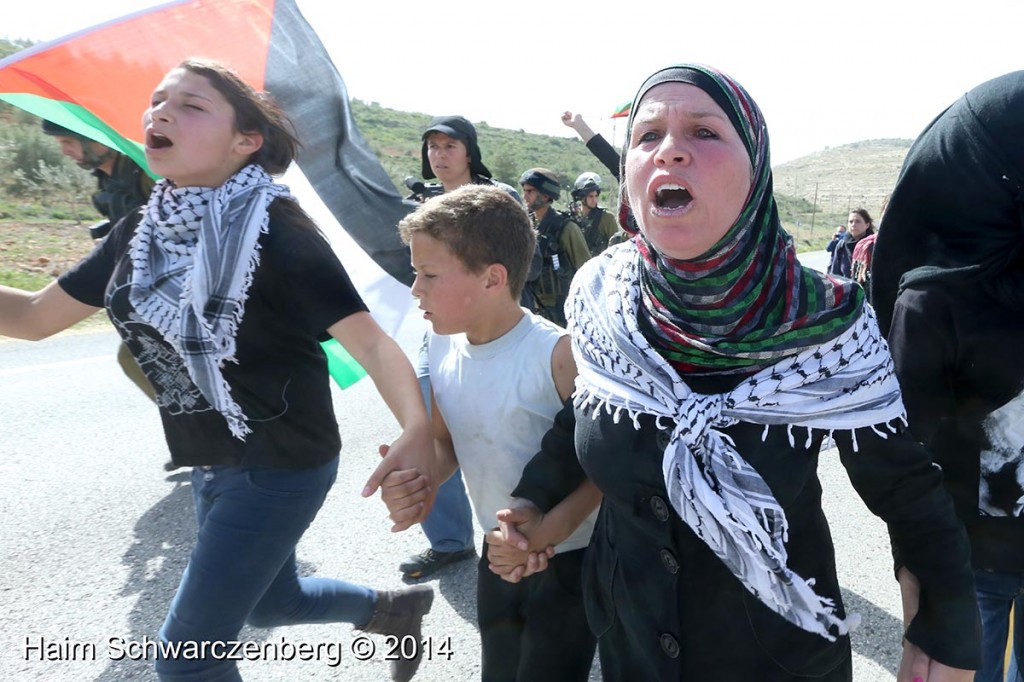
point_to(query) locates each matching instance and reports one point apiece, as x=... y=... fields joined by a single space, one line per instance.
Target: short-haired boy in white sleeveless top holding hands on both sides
x=500 y=376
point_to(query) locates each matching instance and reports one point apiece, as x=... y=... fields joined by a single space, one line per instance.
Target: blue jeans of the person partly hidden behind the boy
x=449 y=527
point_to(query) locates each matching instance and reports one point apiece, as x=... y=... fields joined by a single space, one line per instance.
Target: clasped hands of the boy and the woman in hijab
x=519 y=548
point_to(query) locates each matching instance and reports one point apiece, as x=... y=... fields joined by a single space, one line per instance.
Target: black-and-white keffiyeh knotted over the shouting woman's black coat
x=844 y=383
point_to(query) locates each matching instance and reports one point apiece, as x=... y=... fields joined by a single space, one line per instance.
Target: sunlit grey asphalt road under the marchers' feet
x=97 y=535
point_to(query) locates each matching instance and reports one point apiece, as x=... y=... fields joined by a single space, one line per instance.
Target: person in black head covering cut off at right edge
x=949 y=280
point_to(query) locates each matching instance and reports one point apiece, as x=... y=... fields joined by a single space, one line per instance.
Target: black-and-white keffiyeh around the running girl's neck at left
x=193 y=258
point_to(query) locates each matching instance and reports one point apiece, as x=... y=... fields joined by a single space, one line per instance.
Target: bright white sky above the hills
x=825 y=73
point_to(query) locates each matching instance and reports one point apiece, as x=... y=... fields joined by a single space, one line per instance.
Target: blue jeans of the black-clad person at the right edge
x=997 y=593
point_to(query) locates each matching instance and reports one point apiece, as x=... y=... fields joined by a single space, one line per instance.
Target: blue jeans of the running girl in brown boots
x=243 y=568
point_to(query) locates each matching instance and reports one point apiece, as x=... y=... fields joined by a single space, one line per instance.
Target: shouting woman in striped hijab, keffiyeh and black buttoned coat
x=700 y=412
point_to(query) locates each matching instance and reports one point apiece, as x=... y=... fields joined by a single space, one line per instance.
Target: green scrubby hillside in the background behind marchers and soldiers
x=815 y=193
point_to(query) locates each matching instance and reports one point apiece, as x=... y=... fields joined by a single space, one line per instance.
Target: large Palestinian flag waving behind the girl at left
x=98 y=82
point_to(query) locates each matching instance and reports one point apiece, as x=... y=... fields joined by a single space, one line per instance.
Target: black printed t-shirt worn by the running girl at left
x=280 y=378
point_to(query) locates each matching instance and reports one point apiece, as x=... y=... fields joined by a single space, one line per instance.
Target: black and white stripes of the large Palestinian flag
x=345 y=187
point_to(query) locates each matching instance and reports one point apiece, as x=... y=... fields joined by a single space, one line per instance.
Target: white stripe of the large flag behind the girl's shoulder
x=390 y=302
